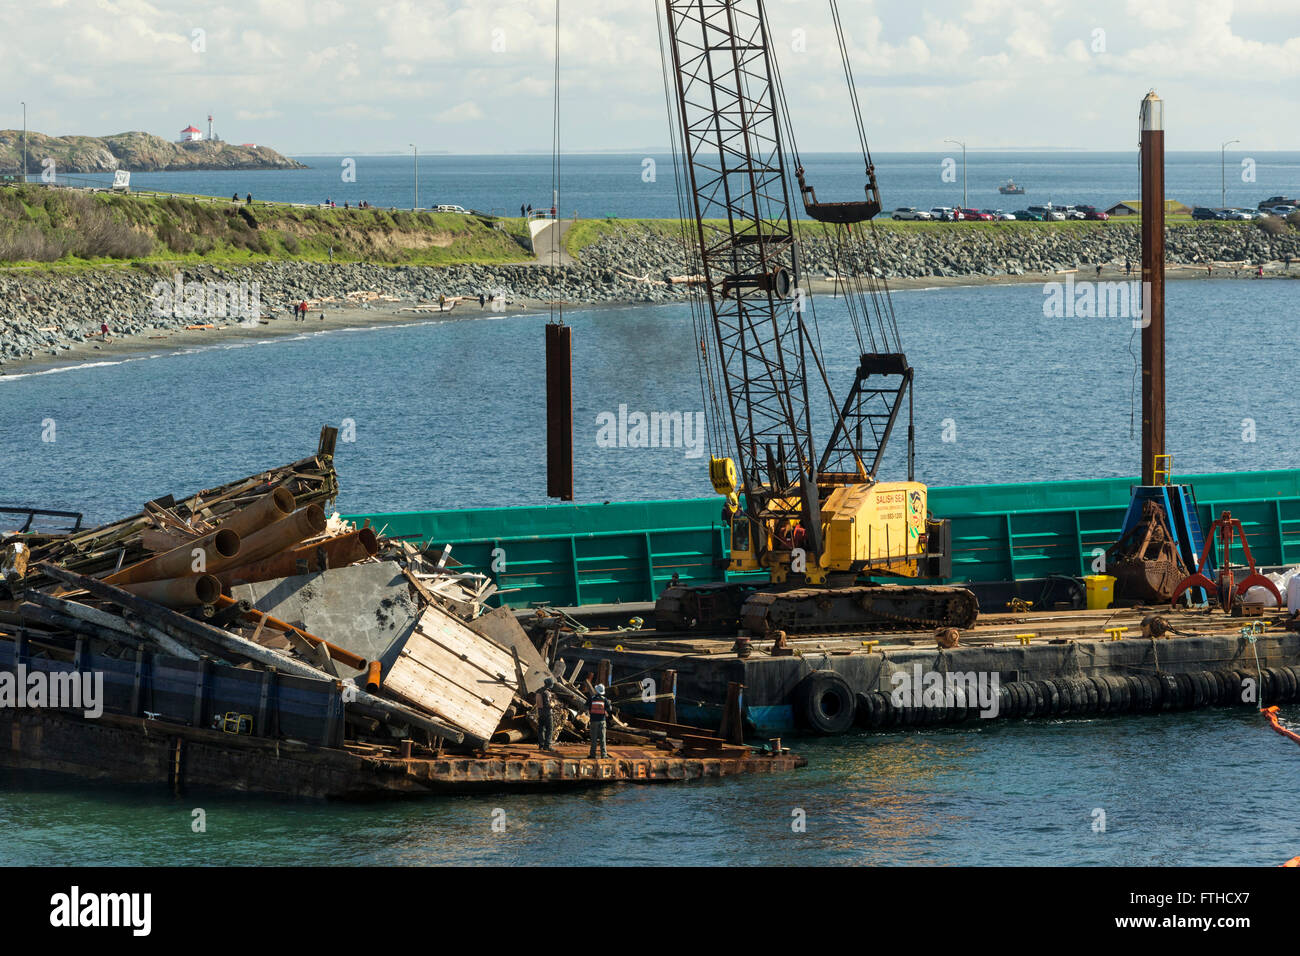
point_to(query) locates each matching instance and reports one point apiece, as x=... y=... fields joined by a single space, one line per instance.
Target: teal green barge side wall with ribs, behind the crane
x=626 y=552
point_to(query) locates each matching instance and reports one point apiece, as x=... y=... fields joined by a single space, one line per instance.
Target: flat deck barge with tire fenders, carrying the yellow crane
x=1064 y=664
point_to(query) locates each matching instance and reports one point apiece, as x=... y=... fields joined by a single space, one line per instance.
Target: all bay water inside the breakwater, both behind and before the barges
x=450 y=414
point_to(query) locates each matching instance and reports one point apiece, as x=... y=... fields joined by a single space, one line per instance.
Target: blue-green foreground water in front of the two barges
x=1212 y=788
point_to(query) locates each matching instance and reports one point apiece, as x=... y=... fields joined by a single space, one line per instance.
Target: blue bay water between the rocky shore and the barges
x=452 y=414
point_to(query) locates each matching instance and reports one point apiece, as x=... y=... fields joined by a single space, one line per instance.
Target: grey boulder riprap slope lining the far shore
x=45 y=313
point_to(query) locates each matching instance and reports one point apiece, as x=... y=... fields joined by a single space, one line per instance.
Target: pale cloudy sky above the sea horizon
x=310 y=77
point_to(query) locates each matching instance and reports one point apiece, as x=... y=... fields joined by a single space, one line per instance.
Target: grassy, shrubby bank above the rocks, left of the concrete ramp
x=73 y=230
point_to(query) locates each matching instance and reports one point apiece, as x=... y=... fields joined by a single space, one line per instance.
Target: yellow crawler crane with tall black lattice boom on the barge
x=818 y=524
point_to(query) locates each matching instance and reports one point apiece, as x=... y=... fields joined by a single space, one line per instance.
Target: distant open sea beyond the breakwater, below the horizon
x=640 y=185
